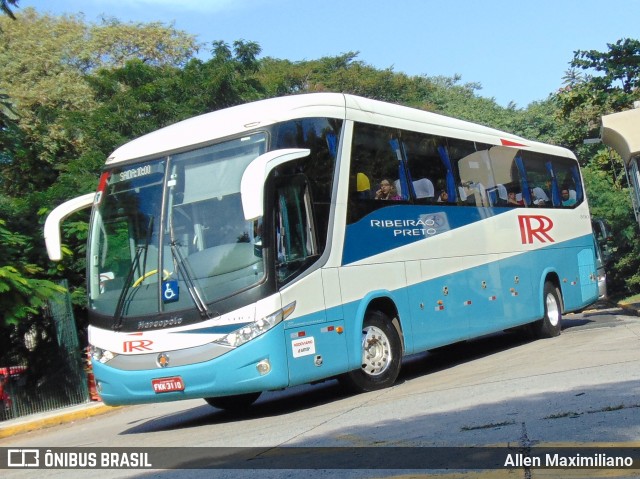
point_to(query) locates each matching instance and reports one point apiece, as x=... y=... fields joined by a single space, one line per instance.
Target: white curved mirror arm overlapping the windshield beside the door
x=255 y=175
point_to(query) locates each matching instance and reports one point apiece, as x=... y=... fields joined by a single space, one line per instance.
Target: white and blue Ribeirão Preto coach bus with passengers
x=249 y=249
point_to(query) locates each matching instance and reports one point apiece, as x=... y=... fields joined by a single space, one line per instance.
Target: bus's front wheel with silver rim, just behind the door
x=381 y=356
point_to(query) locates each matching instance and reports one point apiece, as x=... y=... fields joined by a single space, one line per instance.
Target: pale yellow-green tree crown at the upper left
x=45 y=61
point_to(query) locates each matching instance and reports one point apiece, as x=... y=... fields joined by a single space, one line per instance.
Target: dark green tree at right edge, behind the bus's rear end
x=600 y=83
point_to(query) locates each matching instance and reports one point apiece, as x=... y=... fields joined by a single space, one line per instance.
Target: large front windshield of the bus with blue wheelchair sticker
x=170 y=233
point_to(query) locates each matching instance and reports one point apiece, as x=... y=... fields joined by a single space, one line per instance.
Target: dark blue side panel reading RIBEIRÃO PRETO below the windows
x=394 y=226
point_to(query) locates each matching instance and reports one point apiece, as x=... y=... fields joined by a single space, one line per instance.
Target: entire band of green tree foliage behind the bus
x=72 y=91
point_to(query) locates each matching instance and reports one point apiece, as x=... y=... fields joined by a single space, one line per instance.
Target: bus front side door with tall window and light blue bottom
x=316 y=345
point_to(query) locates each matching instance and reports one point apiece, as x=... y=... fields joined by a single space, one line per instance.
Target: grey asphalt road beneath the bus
x=579 y=389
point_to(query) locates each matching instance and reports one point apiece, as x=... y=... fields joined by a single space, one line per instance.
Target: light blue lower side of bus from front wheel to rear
x=488 y=298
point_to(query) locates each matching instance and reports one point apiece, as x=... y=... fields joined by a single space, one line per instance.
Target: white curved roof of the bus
x=207 y=128
